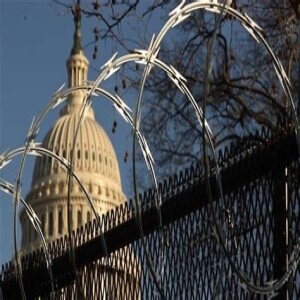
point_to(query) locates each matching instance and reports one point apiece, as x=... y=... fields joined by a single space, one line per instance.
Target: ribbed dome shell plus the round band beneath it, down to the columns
x=94 y=163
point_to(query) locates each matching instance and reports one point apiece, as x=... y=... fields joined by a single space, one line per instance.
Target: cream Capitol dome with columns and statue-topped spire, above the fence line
x=95 y=163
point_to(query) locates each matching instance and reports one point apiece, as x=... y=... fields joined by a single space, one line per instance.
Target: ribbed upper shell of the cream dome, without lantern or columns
x=93 y=151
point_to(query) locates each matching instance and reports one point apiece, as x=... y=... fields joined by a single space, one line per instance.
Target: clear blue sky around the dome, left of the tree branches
x=35 y=42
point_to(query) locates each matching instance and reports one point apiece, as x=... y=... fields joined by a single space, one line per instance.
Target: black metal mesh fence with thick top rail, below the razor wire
x=181 y=254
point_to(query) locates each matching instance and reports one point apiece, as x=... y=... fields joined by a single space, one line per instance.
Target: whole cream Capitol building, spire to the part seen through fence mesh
x=61 y=207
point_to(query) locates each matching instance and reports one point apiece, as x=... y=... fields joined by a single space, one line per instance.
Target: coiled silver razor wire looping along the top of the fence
x=149 y=59
